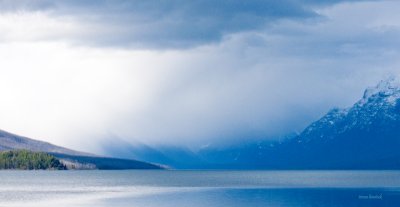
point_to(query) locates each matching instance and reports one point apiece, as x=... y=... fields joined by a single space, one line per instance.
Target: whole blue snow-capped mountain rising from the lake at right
x=366 y=135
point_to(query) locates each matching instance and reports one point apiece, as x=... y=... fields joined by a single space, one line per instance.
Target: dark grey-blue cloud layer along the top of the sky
x=167 y=24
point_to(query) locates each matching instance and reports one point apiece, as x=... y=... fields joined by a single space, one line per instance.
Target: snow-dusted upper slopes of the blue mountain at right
x=379 y=109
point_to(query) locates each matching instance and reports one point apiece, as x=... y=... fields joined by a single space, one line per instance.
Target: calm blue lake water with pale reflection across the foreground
x=199 y=188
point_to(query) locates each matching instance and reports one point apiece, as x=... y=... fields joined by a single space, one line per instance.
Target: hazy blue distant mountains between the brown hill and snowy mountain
x=237 y=156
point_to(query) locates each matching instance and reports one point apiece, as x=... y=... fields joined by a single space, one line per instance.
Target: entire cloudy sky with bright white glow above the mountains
x=187 y=73
